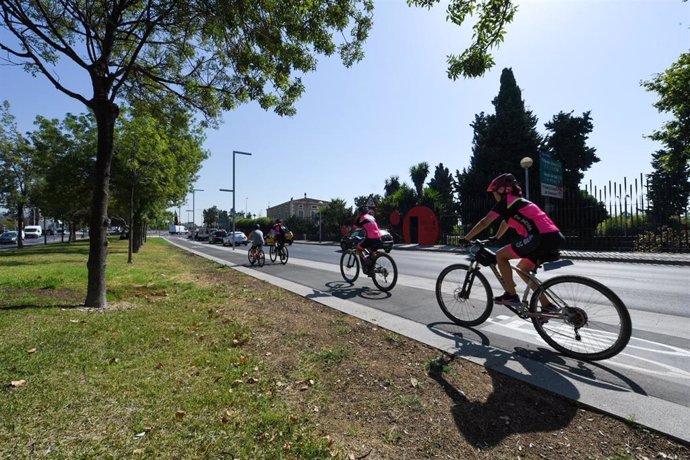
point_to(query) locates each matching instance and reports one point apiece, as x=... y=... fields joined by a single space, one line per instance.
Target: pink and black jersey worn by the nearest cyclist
x=524 y=216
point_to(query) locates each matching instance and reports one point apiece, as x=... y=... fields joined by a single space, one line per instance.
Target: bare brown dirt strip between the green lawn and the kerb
x=378 y=395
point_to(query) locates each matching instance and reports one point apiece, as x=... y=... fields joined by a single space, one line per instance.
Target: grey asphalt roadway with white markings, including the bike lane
x=655 y=364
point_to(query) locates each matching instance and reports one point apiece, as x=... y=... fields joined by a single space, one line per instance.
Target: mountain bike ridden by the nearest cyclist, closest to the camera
x=591 y=323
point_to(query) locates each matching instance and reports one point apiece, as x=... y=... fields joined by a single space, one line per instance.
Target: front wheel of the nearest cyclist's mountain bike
x=463 y=295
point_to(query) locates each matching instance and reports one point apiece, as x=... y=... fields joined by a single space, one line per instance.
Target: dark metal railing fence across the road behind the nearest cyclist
x=616 y=217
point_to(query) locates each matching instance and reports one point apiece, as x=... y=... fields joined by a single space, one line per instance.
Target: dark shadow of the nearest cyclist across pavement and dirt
x=514 y=406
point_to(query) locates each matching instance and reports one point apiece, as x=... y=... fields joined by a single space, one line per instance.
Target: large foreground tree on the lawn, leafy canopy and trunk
x=210 y=55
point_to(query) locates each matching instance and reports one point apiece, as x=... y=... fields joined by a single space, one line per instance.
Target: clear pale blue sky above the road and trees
x=356 y=127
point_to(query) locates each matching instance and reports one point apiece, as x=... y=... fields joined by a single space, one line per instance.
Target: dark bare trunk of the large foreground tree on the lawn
x=106 y=113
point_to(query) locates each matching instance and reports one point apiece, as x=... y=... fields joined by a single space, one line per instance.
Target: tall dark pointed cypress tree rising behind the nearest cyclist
x=500 y=141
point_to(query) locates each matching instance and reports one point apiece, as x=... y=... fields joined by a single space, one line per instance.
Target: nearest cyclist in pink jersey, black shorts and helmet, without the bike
x=538 y=235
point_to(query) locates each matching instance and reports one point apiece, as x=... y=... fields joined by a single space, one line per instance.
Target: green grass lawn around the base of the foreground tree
x=164 y=372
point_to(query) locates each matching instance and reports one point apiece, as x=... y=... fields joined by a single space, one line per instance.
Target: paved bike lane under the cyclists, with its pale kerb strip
x=648 y=382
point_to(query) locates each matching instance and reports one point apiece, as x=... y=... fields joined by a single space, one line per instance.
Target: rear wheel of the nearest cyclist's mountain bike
x=593 y=324
